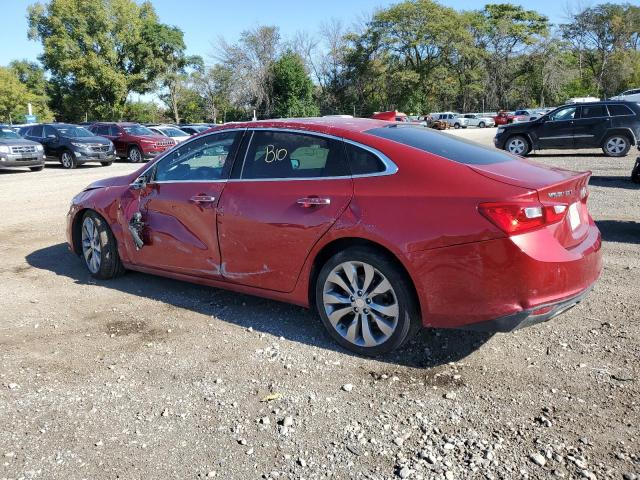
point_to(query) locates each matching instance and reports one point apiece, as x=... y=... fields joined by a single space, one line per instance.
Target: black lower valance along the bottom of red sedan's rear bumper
x=526 y=318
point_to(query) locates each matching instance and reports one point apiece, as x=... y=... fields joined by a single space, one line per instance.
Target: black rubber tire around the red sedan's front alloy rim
x=110 y=265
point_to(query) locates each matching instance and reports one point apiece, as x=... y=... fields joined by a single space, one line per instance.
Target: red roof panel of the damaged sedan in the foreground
x=328 y=125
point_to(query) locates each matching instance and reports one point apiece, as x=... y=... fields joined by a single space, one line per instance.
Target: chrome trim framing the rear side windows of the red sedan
x=390 y=167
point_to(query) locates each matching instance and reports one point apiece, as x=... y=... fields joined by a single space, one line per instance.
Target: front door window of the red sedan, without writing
x=205 y=159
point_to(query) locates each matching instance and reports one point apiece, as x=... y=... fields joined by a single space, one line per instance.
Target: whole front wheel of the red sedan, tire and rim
x=99 y=248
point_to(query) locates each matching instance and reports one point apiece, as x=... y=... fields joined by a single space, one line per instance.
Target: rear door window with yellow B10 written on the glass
x=275 y=155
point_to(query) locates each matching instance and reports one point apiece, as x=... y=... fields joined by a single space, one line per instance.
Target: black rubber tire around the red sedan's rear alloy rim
x=408 y=321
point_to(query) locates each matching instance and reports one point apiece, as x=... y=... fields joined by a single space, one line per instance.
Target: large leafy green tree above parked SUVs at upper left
x=99 y=51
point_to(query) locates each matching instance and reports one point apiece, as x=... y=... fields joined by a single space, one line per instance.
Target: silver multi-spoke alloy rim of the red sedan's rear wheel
x=361 y=304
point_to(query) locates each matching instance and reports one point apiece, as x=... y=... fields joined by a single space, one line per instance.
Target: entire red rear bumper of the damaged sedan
x=505 y=280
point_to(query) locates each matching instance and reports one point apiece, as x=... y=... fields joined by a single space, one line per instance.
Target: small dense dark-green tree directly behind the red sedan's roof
x=292 y=88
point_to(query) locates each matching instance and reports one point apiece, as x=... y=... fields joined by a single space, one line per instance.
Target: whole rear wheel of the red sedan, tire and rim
x=365 y=301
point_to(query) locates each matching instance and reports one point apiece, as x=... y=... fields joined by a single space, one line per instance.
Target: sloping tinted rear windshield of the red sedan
x=442 y=144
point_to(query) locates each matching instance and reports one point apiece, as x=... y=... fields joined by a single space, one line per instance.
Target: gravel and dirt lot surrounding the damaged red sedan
x=144 y=377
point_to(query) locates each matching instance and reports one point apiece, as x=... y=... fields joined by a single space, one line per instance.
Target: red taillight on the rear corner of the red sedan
x=519 y=217
